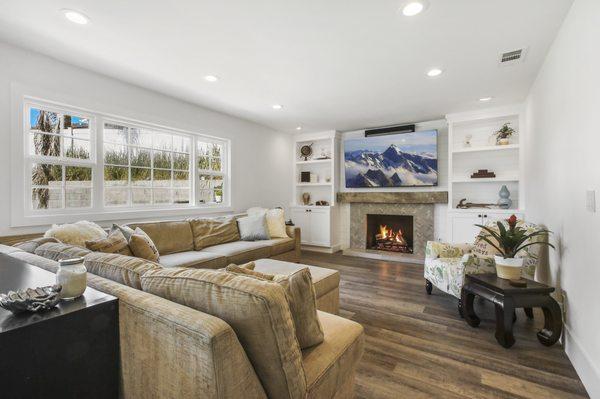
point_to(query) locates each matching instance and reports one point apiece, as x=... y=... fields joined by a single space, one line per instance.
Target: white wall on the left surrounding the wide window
x=261 y=169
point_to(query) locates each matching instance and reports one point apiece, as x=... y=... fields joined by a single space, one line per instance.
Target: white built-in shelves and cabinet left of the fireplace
x=316 y=222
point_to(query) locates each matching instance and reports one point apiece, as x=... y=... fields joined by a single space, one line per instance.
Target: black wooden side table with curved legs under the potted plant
x=506 y=298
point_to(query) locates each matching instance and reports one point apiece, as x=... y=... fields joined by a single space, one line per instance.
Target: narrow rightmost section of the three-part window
x=211 y=171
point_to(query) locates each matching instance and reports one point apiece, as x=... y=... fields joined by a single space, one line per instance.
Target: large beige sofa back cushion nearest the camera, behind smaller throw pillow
x=257 y=311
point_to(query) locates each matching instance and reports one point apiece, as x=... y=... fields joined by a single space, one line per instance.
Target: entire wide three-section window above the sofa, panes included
x=96 y=164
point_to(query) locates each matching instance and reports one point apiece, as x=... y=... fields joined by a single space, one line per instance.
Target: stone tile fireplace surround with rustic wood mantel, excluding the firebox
x=418 y=205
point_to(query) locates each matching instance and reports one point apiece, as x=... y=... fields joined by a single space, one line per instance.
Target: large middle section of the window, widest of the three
x=145 y=167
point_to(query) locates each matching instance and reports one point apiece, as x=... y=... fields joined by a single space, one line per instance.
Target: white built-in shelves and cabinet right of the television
x=483 y=153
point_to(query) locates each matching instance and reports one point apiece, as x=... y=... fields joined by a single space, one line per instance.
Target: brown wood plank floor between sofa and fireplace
x=417 y=346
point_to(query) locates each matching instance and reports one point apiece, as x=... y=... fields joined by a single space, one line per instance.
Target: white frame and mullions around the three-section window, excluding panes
x=22 y=212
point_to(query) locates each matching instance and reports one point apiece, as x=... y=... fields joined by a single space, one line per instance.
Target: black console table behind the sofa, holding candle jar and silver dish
x=71 y=351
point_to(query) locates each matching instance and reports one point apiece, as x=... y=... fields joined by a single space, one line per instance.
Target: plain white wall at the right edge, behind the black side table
x=561 y=163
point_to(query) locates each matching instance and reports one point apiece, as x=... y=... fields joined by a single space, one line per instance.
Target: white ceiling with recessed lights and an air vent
x=333 y=64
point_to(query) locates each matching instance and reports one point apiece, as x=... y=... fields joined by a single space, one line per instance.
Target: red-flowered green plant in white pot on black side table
x=508 y=243
